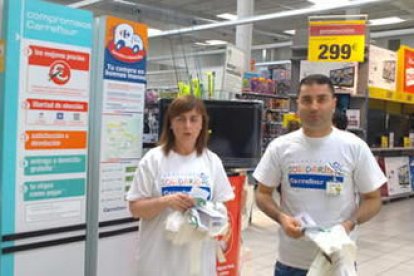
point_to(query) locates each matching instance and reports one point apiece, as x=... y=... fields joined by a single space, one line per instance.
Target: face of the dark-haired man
x=316 y=105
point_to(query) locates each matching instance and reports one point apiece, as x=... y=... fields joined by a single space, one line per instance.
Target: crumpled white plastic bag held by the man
x=337 y=254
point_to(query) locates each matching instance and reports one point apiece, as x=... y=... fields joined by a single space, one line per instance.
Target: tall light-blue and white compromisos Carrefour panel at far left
x=44 y=133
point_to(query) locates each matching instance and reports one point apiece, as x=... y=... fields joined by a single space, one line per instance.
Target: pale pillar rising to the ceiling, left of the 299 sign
x=245 y=8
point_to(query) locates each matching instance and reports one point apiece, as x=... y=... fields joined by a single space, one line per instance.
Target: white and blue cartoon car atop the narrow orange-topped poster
x=126 y=46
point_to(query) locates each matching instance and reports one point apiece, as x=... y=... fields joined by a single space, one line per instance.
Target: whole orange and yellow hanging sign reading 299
x=334 y=41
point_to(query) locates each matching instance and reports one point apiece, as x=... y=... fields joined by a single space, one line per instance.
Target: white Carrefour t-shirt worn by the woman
x=159 y=175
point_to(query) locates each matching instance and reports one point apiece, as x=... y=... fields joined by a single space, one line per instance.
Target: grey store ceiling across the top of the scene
x=173 y=14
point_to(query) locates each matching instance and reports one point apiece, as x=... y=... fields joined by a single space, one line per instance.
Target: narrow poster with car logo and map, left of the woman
x=123 y=82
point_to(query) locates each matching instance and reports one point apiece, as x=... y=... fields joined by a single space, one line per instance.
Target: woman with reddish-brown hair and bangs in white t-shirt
x=164 y=177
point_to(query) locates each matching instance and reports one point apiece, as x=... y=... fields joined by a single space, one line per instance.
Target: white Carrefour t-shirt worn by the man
x=304 y=166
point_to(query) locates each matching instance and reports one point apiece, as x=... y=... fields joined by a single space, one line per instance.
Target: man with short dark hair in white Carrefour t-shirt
x=326 y=173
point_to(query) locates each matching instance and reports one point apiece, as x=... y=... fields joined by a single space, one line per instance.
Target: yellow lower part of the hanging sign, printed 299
x=339 y=48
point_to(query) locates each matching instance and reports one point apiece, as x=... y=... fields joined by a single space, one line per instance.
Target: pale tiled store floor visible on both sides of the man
x=385 y=246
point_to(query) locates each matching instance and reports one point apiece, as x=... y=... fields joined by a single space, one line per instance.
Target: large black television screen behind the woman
x=235 y=130
